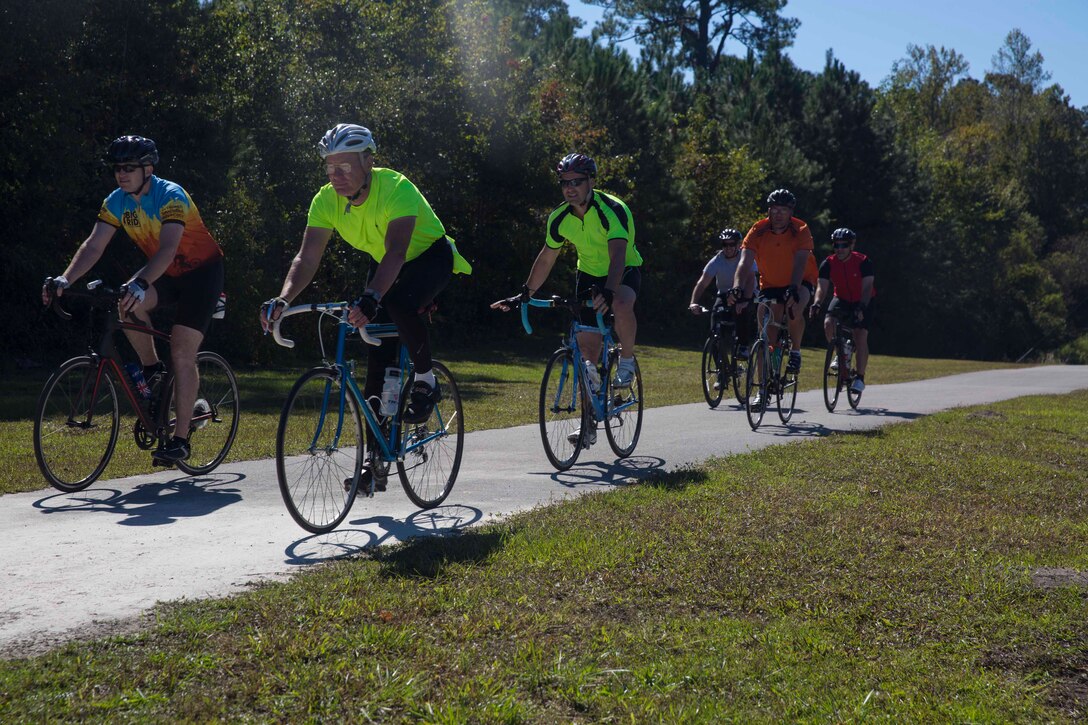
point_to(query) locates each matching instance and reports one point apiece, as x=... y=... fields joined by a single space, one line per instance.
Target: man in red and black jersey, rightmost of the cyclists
x=848 y=276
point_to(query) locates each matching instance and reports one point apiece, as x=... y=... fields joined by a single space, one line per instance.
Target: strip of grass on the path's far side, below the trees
x=500 y=388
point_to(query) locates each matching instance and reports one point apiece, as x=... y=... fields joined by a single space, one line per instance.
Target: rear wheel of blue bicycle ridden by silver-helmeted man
x=432 y=450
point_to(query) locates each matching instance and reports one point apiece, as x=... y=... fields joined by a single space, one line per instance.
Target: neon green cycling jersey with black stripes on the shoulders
x=607 y=218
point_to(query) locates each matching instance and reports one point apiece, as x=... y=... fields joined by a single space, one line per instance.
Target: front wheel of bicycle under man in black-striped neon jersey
x=563 y=417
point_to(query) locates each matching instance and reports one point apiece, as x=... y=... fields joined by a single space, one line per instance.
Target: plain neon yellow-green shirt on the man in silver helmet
x=392 y=196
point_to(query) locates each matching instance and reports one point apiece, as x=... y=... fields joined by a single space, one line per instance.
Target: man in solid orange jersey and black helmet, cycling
x=783 y=248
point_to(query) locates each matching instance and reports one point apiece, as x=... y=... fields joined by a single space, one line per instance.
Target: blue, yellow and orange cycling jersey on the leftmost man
x=165 y=203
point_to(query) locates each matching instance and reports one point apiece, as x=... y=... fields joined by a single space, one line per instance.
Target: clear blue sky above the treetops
x=871 y=35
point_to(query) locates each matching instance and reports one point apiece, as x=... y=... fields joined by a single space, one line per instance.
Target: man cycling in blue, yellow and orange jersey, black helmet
x=184 y=267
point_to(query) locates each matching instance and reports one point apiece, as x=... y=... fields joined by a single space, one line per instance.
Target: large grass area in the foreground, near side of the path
x=885 y=575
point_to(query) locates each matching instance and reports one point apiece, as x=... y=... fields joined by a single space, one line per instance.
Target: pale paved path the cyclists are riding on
x=73 y=563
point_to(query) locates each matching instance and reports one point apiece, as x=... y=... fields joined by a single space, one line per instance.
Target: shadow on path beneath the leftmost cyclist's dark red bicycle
x=152 y=505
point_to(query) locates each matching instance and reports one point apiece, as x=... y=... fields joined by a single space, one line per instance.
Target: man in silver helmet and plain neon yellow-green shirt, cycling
x=381 y=213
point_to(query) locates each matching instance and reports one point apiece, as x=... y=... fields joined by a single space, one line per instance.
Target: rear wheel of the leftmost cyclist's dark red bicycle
x=215 y=415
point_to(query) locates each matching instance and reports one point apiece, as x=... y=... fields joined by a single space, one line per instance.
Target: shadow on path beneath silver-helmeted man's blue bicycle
x=344 y=543
